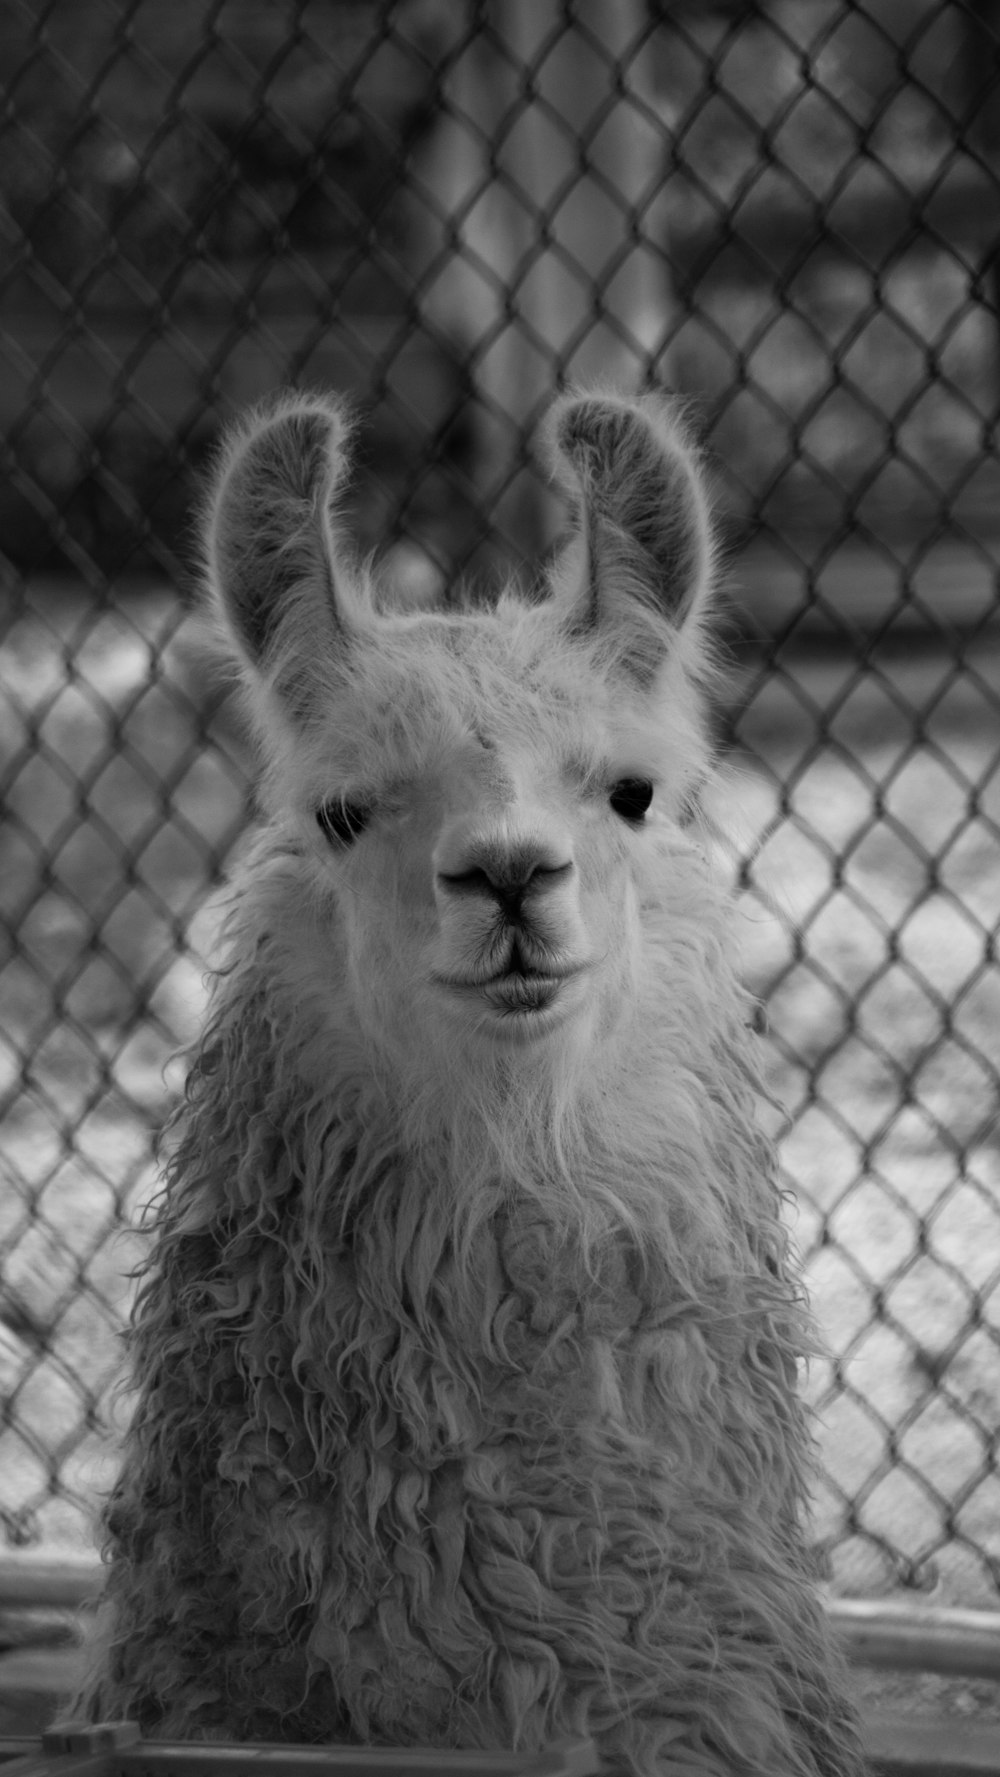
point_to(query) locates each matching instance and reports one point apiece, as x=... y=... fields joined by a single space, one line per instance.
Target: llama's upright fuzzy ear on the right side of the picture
x=644 y=550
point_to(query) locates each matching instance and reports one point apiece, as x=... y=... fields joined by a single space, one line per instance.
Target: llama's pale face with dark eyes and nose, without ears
x=493 y=891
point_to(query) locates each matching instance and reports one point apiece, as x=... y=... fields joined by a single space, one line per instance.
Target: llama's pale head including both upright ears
x=484 y=808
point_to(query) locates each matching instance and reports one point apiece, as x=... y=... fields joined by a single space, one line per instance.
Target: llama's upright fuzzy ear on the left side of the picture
x=269 y=538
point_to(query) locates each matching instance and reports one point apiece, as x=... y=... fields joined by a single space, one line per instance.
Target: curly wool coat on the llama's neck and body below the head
x=472 y=1419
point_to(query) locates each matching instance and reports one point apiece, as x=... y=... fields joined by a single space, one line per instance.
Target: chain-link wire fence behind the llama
x=788 y=212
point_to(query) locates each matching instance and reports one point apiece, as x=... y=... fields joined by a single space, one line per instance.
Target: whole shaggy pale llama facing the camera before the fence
x=466 y=1351
